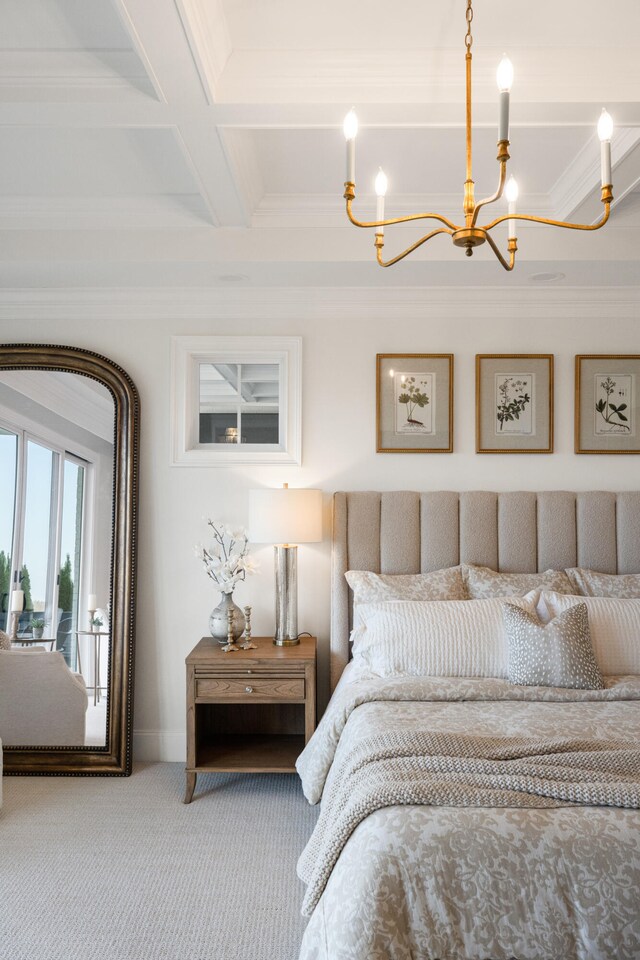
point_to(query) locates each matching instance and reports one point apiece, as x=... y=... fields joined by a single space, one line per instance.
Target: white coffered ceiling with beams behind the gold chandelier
x=199 y=142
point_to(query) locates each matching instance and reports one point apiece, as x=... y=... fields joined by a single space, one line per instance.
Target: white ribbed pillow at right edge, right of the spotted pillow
x=614 y=625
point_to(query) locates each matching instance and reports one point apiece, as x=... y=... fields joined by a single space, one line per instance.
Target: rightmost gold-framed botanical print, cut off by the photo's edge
x=607 y=408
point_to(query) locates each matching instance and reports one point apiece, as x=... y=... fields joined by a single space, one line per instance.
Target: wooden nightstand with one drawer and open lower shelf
x=251 y=710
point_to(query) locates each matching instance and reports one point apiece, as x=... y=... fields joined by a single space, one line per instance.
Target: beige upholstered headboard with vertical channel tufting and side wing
x=407 y=532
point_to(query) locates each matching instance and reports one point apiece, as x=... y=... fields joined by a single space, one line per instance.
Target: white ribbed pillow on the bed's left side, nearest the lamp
x=442 y=638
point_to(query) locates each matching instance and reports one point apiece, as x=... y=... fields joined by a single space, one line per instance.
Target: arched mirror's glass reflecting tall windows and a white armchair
x=56 y=491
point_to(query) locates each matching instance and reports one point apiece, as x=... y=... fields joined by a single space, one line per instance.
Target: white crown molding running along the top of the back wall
x=276 y=304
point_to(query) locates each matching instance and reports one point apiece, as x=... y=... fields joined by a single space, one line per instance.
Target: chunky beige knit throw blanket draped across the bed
x=457 y=770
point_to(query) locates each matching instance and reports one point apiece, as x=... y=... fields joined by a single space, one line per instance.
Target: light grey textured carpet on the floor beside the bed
x=120 y=869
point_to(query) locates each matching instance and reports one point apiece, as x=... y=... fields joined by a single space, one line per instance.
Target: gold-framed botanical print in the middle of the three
x=514 y=403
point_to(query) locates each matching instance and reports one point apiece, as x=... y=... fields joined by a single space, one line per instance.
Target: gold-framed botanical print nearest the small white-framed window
x=414 y=397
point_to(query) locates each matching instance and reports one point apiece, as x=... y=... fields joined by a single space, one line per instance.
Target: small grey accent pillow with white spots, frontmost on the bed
x=555 y=654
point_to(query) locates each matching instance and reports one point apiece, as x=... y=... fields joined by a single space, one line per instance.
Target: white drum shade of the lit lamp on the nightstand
x=284 y=515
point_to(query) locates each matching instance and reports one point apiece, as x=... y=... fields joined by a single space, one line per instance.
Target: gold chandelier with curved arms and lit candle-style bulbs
x=470 y=234
